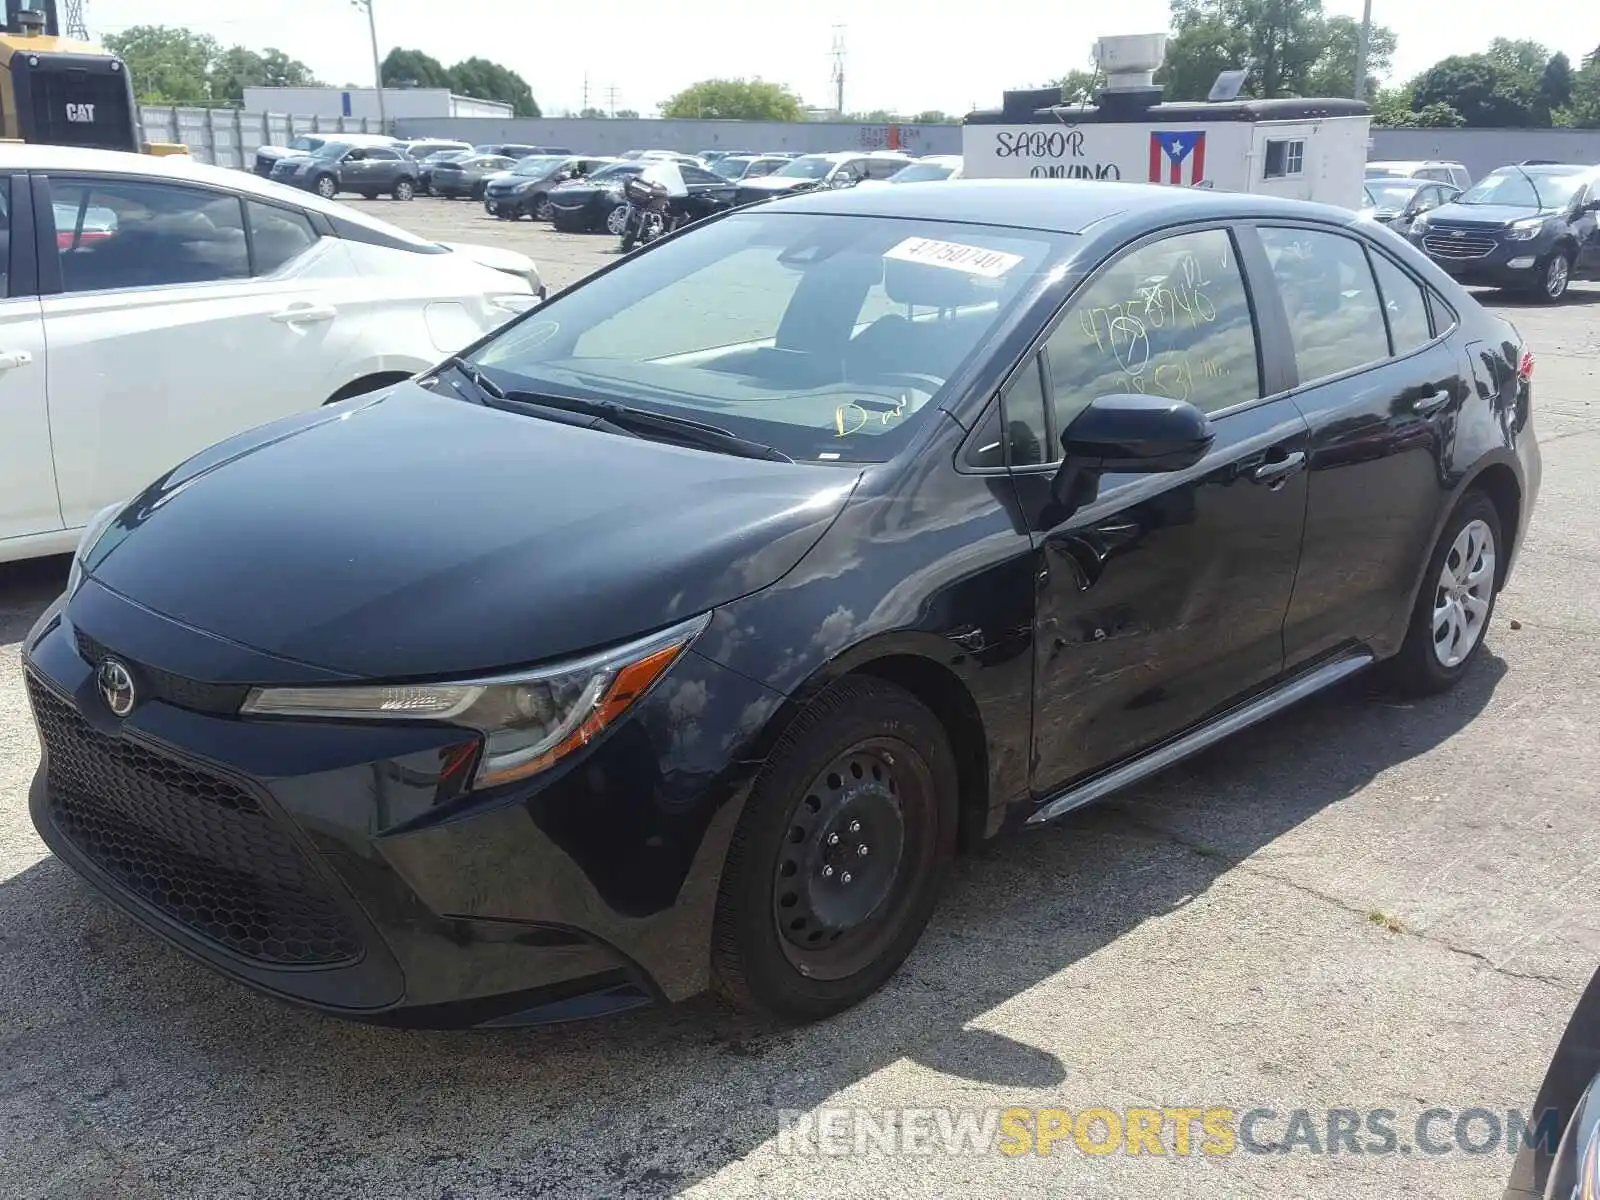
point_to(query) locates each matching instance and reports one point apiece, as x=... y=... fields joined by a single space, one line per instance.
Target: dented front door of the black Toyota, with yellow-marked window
x=1162 y=601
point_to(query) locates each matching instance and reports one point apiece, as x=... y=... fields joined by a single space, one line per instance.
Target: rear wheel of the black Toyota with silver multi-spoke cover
x=1455 y=604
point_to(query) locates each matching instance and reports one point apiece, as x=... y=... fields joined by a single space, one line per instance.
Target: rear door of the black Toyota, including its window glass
x=1382 y=388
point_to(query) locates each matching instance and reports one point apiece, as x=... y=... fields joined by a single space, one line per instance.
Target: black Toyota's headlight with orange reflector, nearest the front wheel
x=530 y=721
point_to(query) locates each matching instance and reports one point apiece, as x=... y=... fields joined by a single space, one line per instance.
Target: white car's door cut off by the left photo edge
x=28 y=473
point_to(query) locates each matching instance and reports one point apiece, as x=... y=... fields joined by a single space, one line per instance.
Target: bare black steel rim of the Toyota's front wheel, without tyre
x=857 y=841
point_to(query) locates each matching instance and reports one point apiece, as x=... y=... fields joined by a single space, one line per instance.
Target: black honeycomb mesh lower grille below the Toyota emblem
x=194 y=846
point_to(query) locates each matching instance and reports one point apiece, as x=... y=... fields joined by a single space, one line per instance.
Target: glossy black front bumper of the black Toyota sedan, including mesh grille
x=342 y=865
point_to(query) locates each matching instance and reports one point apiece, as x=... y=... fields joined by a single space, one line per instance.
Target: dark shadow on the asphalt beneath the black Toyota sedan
x=695 y=1087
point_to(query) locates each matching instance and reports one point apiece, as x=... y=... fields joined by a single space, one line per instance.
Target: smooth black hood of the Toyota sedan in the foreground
x=423 y=537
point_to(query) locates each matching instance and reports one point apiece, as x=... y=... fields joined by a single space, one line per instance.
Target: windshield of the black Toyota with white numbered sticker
x=828 y=338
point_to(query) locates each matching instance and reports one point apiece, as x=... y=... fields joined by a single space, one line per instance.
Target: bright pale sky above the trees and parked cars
x=903 y=55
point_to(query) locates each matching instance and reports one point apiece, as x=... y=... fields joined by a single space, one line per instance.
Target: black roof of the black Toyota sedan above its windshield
x=1054 y=206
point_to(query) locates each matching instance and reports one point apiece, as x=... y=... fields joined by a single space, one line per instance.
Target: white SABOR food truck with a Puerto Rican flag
x=1308 y=150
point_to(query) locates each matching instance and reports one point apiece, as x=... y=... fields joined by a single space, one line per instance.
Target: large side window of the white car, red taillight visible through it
x=118 y=234
